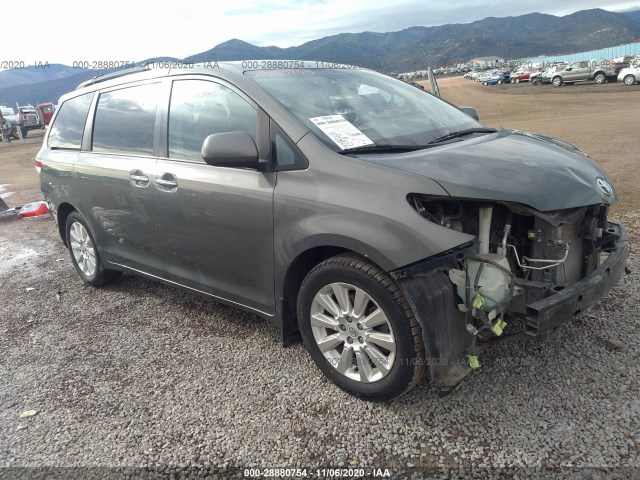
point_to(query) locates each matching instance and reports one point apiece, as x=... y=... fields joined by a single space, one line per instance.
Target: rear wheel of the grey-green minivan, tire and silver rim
x=84 y=253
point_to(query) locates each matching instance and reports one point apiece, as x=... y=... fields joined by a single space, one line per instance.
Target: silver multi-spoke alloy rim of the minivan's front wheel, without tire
x=353 y=332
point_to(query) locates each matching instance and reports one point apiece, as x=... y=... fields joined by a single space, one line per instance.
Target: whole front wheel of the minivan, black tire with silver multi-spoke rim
x=373 y=346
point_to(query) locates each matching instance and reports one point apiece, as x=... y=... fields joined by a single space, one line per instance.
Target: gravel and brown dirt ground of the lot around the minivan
x=142 y=374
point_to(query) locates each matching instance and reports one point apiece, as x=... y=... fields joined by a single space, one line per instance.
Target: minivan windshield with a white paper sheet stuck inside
x=348 y=108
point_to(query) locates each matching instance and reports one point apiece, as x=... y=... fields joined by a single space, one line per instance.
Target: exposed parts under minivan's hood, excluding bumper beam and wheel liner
x=522 y=257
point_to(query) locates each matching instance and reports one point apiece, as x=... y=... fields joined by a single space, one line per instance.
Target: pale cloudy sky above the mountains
x=128 y=30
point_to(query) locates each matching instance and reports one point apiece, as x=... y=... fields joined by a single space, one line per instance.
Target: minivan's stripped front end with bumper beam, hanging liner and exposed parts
x=544 y=267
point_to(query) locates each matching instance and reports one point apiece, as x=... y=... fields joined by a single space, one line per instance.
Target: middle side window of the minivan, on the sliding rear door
x=125 y=120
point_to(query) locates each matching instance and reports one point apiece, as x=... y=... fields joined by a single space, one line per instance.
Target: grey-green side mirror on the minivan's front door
x=230 y=149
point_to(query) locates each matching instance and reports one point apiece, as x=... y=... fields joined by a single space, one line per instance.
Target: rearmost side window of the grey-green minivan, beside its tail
x=66 y=131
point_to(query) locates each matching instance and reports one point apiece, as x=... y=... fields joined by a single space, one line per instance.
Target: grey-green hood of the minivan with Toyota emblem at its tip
x=512 y=166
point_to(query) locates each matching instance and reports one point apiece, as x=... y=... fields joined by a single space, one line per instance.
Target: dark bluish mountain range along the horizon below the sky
x=409 y=49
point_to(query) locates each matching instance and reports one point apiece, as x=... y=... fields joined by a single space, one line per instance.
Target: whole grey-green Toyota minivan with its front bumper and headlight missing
x=390 y=230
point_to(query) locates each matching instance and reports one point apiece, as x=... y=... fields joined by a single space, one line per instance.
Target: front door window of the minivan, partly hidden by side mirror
x=200 y=108
